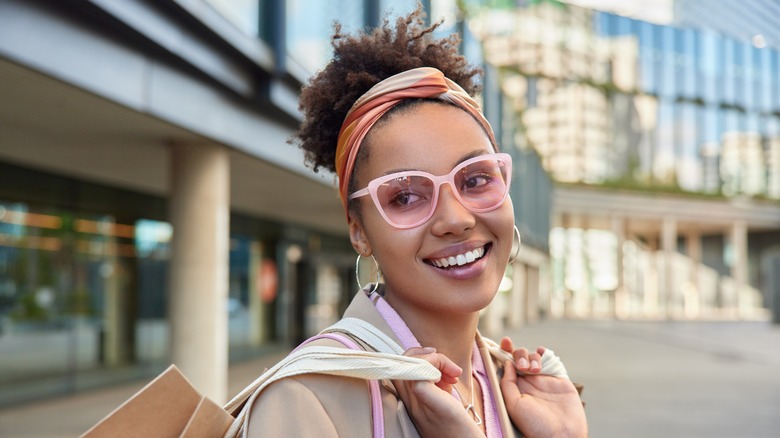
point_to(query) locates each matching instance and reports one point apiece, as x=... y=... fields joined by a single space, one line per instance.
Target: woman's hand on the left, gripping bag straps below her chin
x=431 y=406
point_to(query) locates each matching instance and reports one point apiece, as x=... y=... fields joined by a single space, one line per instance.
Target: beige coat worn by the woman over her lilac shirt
x=328 y=406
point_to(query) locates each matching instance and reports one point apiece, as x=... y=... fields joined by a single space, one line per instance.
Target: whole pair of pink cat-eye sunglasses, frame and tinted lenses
x=408 y=199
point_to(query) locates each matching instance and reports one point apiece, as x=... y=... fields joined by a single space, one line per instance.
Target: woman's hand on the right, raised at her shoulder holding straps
x=540 y=406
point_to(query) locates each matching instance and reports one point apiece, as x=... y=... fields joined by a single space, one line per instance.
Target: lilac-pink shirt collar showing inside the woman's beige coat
x=402 y=332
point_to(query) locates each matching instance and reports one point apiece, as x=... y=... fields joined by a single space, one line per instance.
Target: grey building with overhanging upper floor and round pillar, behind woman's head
x=151 y=209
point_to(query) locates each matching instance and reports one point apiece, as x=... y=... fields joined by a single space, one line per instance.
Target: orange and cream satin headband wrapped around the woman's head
x=423 y=82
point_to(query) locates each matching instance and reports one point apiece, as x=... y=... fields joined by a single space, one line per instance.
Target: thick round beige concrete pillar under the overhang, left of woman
x=200 y=215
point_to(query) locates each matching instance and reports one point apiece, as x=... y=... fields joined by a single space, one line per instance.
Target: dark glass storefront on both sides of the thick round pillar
x=83 y=284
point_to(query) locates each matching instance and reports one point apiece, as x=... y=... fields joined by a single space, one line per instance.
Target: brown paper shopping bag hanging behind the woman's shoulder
x=167 y=407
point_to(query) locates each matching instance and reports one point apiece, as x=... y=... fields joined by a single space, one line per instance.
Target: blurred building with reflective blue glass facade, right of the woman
x=632 y=118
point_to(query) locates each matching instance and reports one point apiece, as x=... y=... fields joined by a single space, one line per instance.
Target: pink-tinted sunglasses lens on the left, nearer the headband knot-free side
x=406 y=200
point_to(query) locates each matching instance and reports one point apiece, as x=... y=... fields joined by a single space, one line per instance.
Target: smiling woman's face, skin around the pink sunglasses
x=433 y=138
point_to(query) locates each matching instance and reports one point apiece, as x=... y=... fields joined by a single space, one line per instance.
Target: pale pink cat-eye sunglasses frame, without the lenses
x=438 y=181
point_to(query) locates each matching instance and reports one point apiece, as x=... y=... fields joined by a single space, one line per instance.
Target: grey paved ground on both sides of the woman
x=642 y=379
